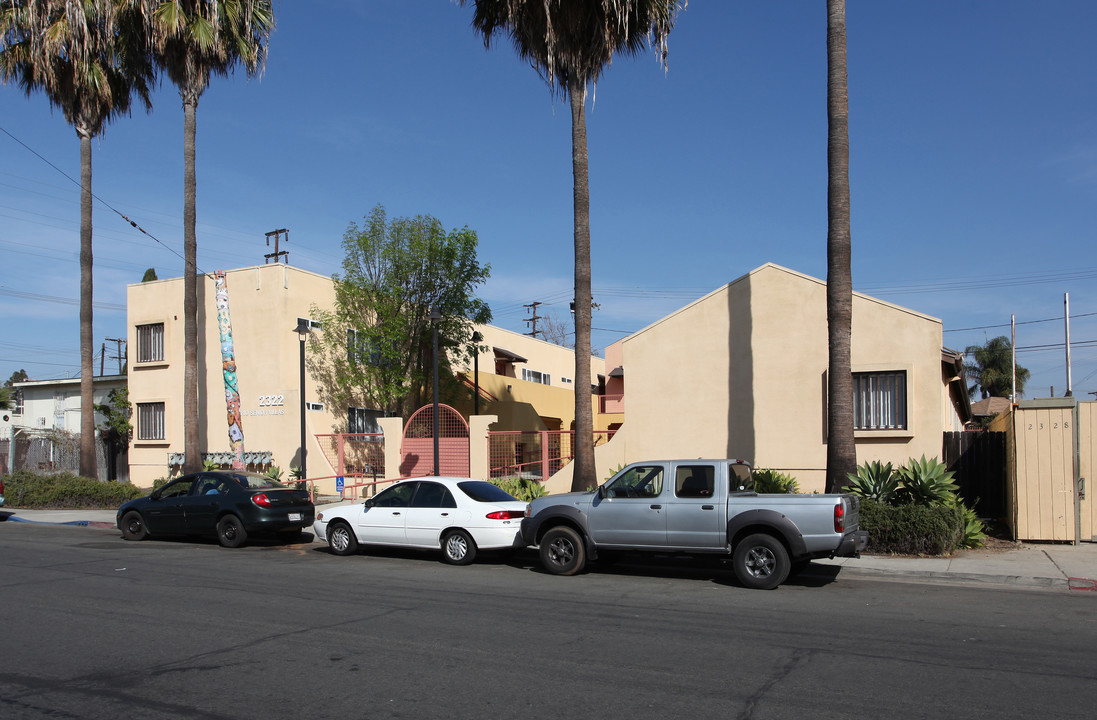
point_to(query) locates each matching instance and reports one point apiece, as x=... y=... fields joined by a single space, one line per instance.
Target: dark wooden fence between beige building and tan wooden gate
x=979 y=462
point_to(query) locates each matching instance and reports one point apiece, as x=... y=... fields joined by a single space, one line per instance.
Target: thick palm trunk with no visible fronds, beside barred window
x=842 y=451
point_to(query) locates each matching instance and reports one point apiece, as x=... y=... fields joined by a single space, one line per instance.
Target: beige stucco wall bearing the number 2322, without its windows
x=265 y=302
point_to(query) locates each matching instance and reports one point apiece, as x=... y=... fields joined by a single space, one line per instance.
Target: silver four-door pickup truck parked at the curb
x=695 y=507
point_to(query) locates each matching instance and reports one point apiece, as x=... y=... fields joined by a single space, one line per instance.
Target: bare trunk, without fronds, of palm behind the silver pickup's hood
x=583 y=477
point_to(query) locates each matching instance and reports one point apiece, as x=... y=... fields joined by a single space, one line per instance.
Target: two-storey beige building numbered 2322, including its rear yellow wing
x=525 y=382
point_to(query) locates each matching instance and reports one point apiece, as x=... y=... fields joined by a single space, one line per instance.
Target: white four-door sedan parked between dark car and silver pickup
x=457 y=515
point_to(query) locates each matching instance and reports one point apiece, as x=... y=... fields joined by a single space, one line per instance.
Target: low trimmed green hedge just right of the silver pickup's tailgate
x=912 y=530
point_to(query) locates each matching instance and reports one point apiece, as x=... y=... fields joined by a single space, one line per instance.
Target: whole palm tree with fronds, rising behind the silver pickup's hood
x=570 y=43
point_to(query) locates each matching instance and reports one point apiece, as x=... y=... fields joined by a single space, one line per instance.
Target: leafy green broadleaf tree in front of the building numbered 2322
x=376 y=351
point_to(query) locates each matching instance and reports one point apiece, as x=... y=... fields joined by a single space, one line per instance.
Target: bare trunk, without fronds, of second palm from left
x=193 y=462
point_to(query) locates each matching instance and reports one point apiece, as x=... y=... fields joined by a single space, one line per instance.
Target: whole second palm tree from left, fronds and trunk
x=196 y=39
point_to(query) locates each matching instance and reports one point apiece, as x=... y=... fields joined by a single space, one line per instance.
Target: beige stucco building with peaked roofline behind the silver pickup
x=742 y=374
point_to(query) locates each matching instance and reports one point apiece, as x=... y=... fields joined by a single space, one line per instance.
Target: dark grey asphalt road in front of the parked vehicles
x=95 y=627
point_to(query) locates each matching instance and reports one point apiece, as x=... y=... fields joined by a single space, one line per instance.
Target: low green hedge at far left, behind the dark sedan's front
x=24 y=489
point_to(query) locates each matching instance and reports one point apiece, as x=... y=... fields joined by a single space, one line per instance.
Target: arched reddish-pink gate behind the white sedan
x=417 y=449
